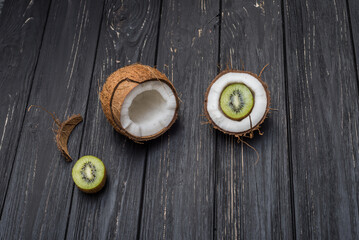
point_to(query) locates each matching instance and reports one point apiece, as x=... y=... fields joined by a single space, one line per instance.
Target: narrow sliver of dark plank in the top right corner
x=353 y=12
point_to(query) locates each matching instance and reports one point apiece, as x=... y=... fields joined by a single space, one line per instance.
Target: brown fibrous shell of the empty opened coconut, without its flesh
x=119 y=84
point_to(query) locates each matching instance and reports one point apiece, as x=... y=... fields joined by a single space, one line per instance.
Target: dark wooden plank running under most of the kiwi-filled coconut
x=253 y=198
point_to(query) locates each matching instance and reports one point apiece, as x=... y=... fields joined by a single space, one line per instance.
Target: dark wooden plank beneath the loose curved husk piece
x=39 y=196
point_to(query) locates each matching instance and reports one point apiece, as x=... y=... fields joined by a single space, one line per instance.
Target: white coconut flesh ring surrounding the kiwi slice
x=258 y=110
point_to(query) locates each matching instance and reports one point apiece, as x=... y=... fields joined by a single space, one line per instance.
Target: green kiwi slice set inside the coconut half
x=236 y=101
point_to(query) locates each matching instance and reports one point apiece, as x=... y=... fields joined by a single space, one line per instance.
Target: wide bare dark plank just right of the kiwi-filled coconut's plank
x=324 y=110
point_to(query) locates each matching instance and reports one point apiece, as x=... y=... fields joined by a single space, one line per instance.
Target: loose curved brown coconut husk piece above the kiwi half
x=63 y=131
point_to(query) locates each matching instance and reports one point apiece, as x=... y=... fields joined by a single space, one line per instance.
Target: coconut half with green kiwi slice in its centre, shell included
x=237 y=102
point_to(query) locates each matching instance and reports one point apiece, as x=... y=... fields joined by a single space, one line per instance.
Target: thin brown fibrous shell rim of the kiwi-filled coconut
x=248 y=133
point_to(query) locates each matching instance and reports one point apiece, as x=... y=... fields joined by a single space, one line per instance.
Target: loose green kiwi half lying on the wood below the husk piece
x=89 y=174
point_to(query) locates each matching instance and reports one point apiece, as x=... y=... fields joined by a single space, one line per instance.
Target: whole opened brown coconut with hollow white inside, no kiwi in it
x=139 y=102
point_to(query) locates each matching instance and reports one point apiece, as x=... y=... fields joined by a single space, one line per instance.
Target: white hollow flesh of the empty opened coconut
x=148 y=109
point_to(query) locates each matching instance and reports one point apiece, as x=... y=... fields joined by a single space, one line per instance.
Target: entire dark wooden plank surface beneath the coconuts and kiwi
x=193 y=182
